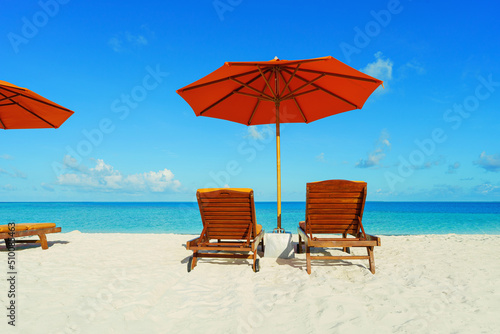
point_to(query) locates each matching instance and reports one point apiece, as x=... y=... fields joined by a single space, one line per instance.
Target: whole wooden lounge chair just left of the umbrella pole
x=230 y=229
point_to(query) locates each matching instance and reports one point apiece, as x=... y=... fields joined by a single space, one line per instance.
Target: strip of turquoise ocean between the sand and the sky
x=382 y=218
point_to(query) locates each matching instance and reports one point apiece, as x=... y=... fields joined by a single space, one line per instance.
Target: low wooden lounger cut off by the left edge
x=27 y=229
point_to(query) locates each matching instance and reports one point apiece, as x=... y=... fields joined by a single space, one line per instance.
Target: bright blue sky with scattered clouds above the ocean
x=431 y=135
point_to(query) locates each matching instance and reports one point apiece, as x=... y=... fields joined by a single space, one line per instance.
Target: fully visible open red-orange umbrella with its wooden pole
x=279 y=91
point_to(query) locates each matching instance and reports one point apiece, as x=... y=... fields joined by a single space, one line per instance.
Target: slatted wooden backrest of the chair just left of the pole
x=227 y=213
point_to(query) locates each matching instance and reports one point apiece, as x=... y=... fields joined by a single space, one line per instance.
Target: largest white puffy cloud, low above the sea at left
x=103 y=177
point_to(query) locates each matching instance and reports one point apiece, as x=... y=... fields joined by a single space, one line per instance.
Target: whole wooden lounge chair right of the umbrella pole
x=336 y=207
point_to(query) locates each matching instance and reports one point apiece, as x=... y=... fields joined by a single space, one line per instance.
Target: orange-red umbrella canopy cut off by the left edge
x=21 y=108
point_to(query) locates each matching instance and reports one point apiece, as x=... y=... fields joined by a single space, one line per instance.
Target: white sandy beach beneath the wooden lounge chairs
x=133 y=283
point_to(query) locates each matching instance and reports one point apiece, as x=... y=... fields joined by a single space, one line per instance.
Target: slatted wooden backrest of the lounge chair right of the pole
x=335 y=206
